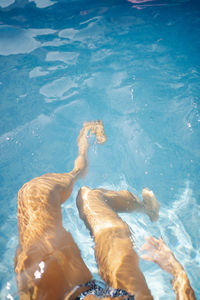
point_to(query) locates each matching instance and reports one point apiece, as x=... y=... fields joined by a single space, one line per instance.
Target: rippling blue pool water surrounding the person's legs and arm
x=134 y=65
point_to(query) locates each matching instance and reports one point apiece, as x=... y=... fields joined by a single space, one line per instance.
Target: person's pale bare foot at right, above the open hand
x=151 y=205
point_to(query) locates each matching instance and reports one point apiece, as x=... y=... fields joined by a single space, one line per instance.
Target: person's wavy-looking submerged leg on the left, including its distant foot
x=42 y=237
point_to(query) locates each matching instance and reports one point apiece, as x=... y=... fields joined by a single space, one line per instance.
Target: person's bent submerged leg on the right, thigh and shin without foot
x=118 y=262
